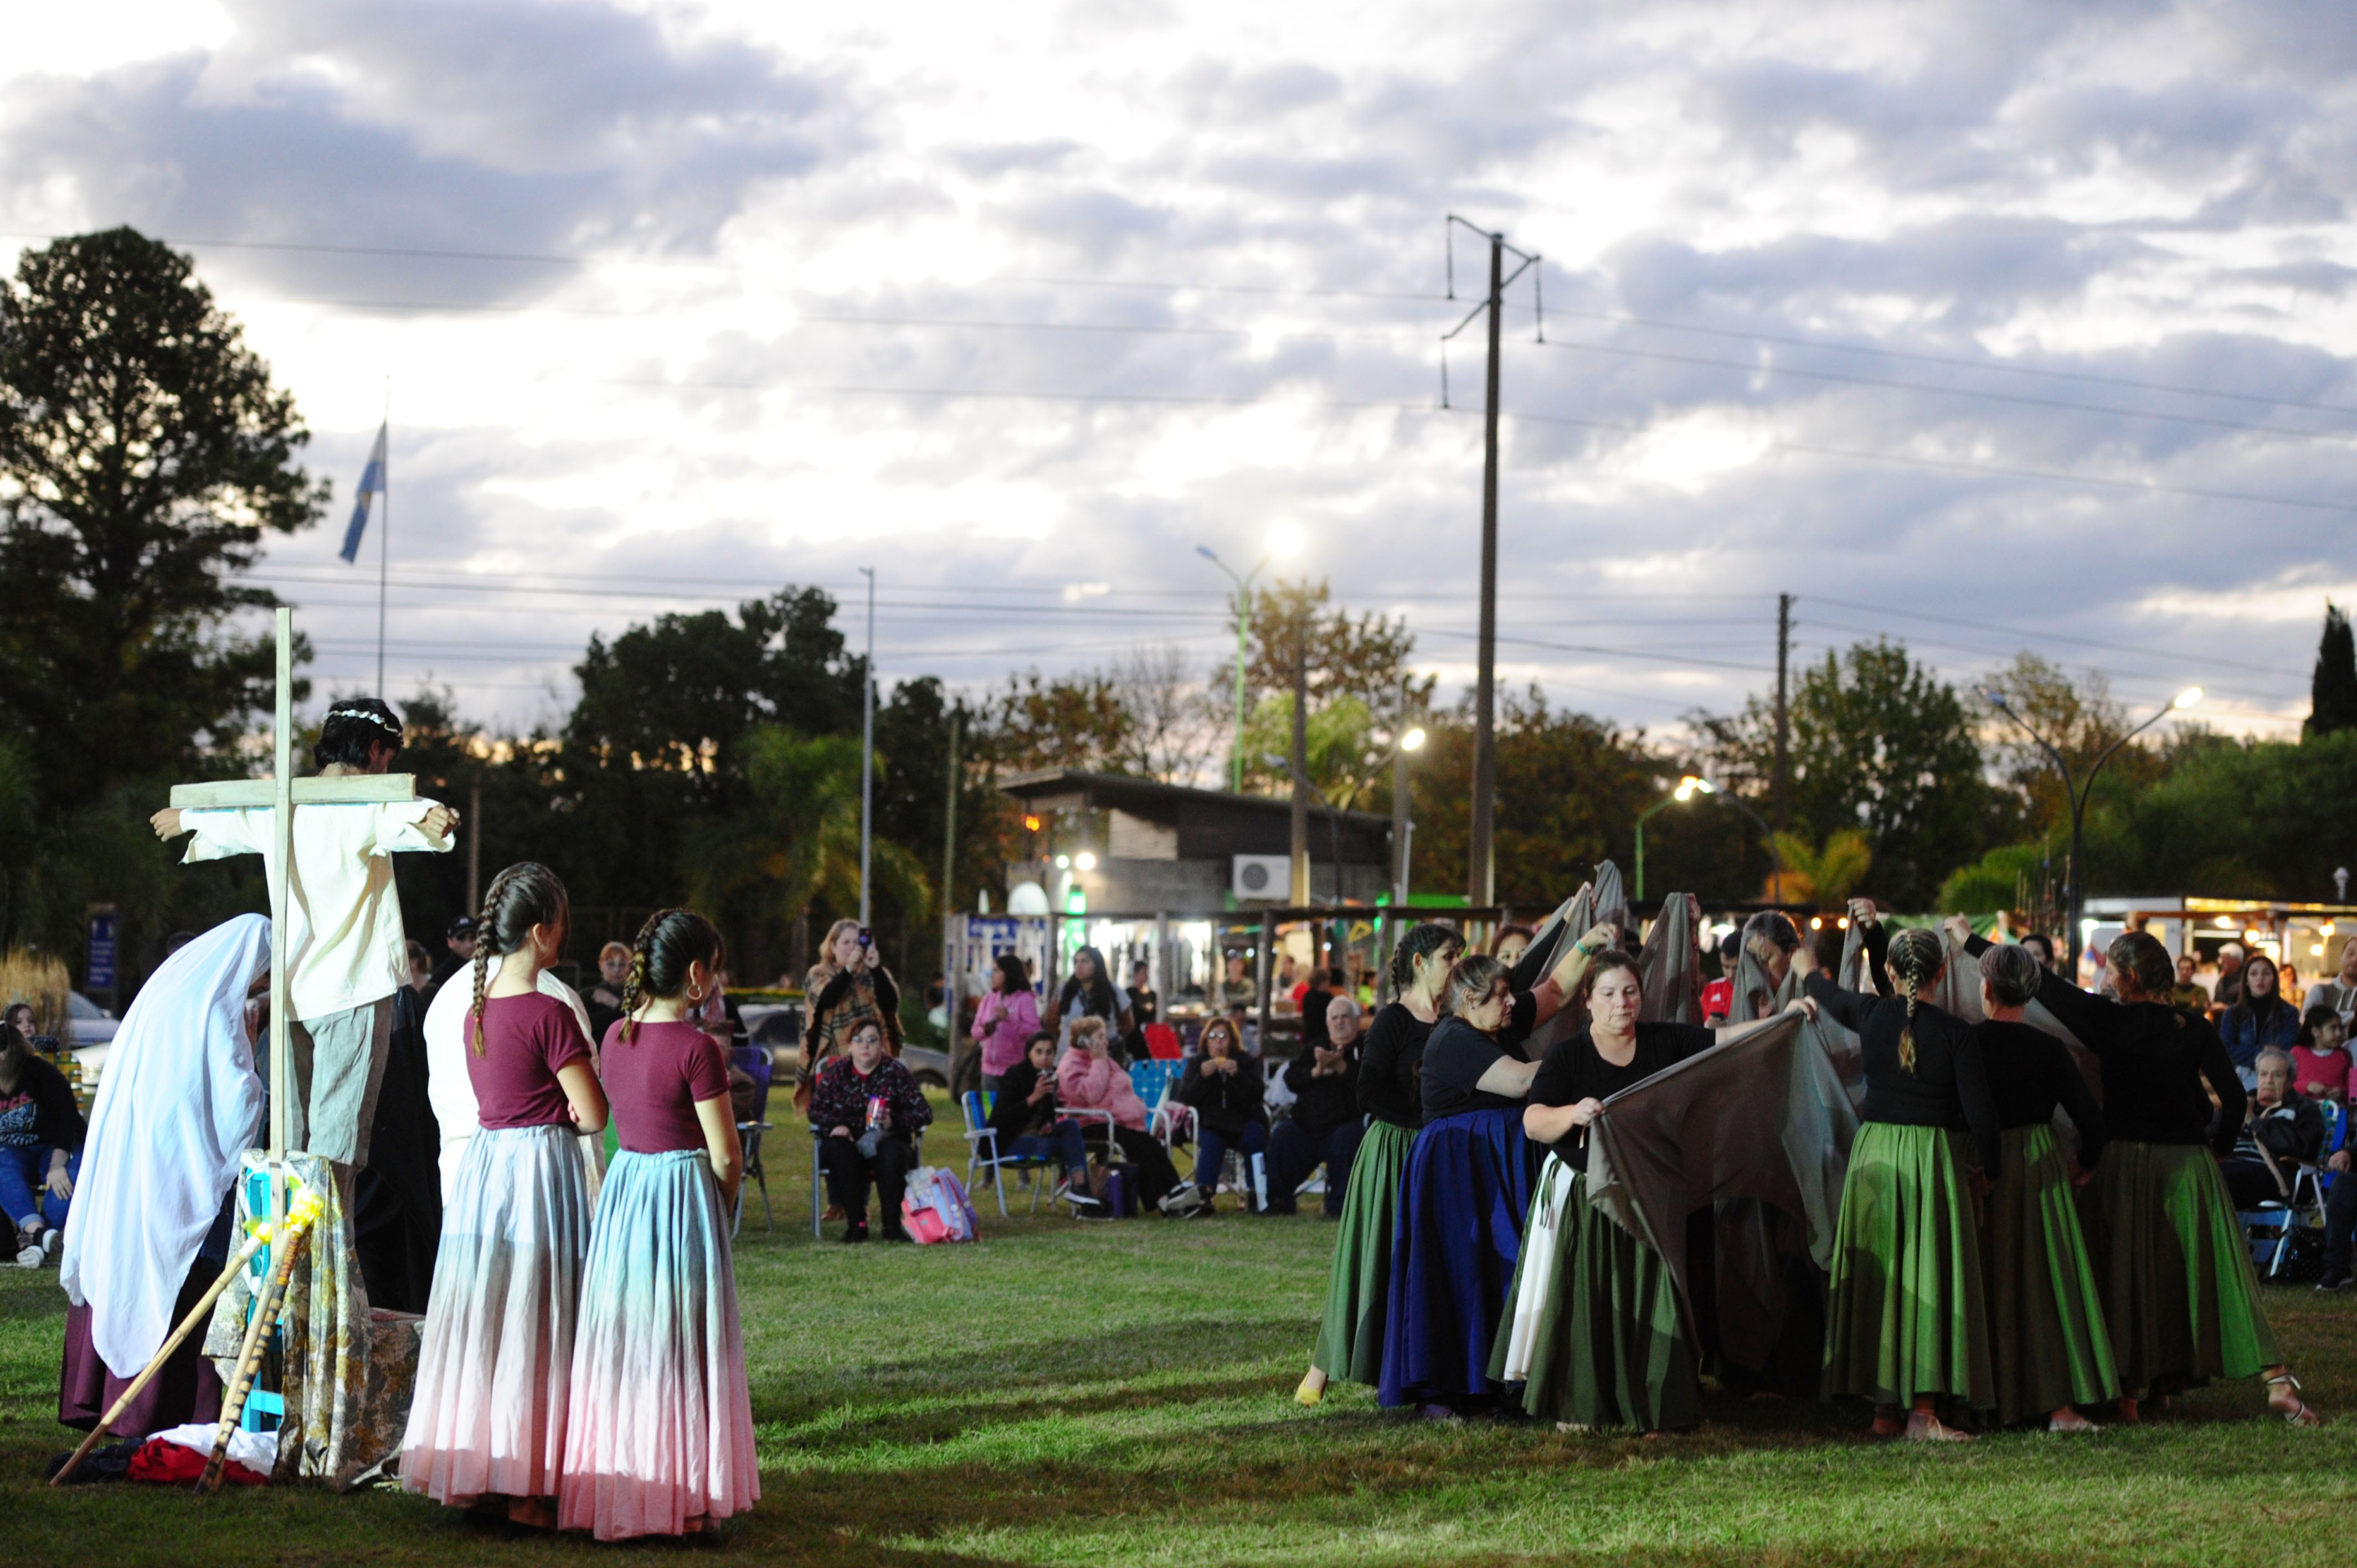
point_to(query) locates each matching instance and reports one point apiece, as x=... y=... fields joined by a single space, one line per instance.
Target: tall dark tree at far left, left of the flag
x=143 y=456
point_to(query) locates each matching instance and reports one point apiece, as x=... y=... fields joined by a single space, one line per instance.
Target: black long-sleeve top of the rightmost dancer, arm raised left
x=2153 y=1065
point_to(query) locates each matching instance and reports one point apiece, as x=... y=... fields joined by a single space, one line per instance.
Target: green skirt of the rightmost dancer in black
x=2174 y=1272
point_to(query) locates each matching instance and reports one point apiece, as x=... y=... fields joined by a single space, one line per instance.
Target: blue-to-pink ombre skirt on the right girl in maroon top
x=661 y=1418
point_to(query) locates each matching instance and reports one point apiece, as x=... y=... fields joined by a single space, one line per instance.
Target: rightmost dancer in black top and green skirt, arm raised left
x=2179 y=1291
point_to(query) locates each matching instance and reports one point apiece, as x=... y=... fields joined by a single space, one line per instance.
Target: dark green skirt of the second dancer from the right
x=2047 y=1326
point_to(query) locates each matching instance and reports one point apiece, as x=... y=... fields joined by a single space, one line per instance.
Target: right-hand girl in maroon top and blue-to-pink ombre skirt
x=661 y=1435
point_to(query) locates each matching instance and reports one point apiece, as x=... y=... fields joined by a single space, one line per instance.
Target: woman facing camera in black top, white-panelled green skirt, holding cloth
x=1595 y=1333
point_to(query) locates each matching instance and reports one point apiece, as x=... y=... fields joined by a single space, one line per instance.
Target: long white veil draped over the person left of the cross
x=178 y=1107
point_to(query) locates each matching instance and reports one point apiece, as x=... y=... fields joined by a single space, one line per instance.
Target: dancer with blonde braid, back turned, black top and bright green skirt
x=1908 y=1319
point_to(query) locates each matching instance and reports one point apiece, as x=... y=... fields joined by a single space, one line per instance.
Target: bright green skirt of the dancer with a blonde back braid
x=1906 y=1315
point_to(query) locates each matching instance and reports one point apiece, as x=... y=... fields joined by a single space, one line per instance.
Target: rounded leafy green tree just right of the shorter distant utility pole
x=1877 y=744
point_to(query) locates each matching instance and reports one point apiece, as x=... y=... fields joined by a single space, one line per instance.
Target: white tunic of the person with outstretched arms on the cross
x=345 y=940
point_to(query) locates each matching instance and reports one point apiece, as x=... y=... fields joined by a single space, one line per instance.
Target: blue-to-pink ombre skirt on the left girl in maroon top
x=496 y=1366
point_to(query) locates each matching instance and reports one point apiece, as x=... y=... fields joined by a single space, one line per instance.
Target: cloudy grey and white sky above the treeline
x=1986 y=327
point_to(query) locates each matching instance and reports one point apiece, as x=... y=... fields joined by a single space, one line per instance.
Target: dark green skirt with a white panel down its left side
x=1592 y=1331
